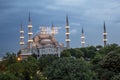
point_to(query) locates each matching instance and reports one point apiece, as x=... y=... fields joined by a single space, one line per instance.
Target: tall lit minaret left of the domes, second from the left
x=30 y=40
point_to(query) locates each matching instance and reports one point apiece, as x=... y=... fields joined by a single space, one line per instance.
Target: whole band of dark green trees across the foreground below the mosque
x=103 y=64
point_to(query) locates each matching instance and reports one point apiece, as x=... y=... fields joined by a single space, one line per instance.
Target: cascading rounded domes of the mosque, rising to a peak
x=45 y=39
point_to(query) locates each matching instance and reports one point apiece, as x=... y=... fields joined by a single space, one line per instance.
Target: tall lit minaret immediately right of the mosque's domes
x=67 y=33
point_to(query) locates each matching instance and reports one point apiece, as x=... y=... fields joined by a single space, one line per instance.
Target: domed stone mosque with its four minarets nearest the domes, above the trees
x=43 y=43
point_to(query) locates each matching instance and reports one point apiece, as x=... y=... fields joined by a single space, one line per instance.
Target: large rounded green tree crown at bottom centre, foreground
x=69 y=69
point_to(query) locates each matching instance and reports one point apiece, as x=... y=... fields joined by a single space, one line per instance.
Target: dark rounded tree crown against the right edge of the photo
x=111 y=61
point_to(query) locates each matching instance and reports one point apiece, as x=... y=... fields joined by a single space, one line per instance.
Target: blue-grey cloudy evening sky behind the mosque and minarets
x=89 y=14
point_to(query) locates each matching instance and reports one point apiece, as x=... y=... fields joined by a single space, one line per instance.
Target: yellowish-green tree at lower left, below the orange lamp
x=25 y=69
